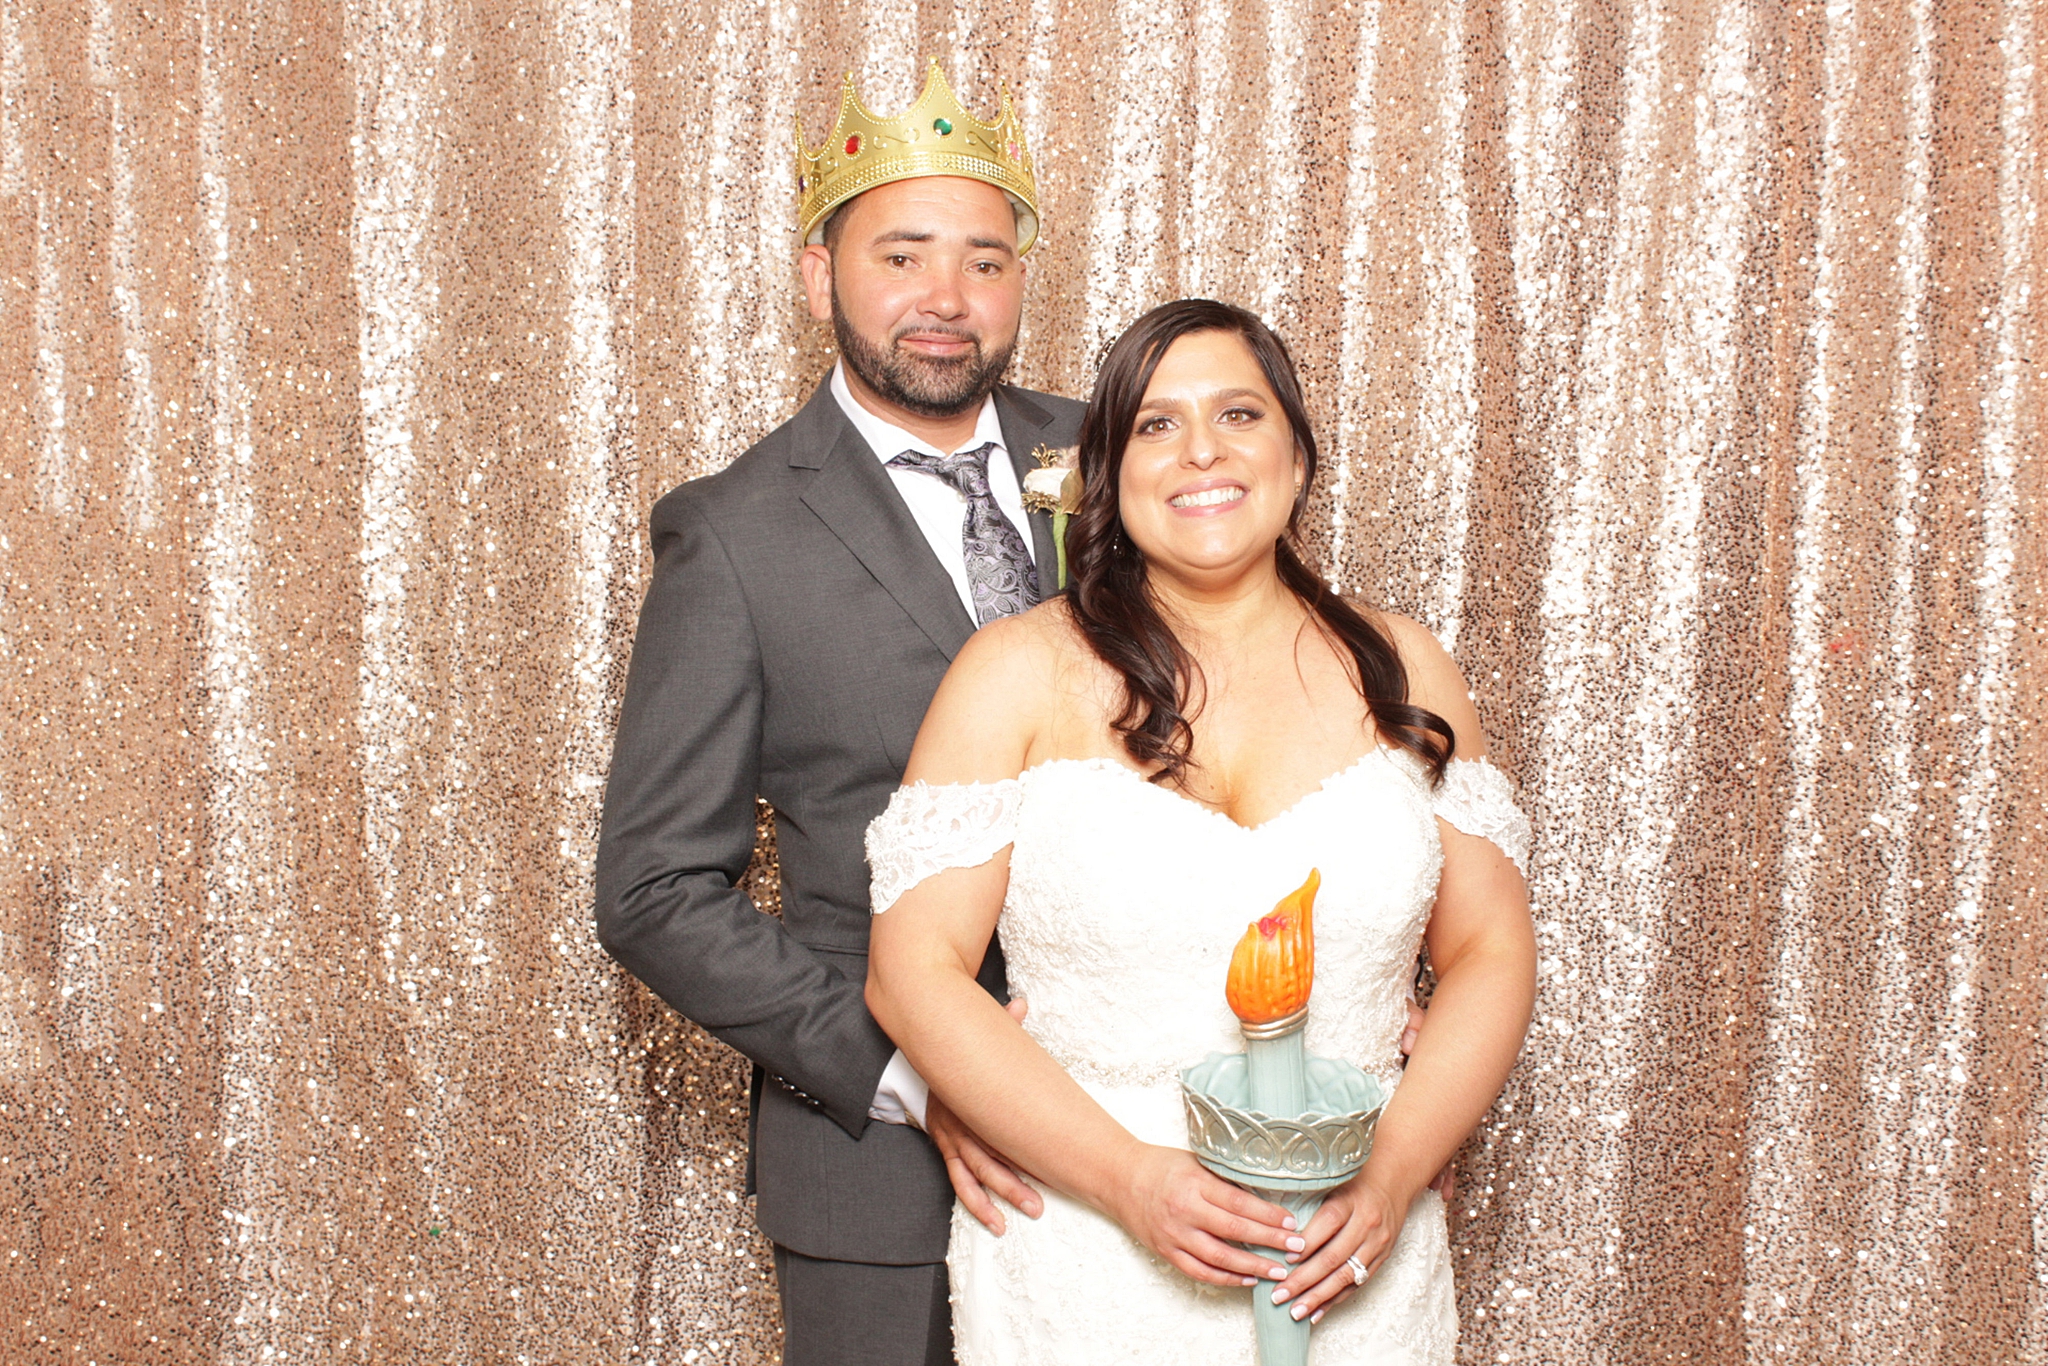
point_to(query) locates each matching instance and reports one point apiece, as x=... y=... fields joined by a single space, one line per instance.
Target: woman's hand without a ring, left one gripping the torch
x=1193 y=1218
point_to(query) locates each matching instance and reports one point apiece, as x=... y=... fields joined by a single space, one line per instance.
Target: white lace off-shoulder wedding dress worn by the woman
x=1125 y=904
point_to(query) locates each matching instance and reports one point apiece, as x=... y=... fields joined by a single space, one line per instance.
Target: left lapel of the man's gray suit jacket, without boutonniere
x=855 y=499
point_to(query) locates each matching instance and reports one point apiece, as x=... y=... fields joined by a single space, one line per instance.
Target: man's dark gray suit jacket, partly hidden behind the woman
x=794 y=634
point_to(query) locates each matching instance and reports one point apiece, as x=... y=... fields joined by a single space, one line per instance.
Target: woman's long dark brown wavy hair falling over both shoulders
x=1113 y=601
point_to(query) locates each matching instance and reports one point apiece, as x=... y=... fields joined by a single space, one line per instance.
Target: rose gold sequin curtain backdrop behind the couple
x=1682 y=368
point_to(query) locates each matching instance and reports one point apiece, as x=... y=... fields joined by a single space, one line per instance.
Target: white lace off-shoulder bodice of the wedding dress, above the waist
x=1125 y=898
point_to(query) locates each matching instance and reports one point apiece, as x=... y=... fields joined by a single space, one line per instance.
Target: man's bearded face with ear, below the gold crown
x=925 y=290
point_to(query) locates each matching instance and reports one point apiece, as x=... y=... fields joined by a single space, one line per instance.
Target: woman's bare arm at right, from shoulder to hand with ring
x=1484 y=949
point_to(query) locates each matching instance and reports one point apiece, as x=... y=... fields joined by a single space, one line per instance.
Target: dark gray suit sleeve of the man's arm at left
x=679 y=833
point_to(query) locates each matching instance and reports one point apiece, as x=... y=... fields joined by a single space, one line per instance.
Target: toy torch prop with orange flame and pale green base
x=1277 y=1119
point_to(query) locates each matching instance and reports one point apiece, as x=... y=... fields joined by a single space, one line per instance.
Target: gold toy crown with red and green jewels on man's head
x=933 y=138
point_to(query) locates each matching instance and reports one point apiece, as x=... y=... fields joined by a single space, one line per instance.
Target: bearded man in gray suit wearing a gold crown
x=804 y=607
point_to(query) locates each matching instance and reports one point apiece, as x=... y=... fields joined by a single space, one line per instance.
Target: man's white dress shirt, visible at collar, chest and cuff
x=941 y=513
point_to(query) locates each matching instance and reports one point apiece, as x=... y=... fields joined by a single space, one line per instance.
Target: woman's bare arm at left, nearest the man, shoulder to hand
x=923 y=959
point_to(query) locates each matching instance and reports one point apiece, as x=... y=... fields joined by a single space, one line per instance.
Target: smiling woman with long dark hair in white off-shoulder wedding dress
x=1123 y=779
